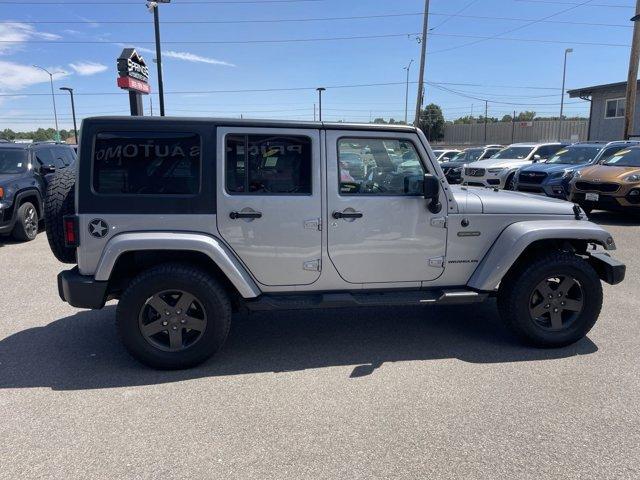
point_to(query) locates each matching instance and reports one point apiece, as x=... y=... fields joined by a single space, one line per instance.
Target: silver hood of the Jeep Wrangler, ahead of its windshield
x=508 y=202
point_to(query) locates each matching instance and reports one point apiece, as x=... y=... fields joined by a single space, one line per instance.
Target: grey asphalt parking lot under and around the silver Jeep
x=432 y=392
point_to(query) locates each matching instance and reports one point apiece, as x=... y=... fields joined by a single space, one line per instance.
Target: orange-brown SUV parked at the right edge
x=612 y=185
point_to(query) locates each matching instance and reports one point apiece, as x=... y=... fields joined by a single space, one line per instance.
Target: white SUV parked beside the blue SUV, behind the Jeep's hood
x=499 y=170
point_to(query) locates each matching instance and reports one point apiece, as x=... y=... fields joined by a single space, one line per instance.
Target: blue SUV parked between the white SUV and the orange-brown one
x=553 y=176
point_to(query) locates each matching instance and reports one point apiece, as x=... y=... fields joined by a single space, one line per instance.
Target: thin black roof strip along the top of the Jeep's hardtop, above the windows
x=237 y=122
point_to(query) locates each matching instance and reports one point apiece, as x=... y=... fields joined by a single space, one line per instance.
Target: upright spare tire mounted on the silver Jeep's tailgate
x=59 y=201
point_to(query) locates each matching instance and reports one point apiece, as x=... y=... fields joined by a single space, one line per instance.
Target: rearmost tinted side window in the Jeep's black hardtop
x=146 y=163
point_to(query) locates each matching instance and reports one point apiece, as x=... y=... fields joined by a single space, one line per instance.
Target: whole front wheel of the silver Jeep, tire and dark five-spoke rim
x=551 y=301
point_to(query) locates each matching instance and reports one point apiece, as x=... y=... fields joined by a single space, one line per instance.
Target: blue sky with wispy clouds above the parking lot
x=525 y=73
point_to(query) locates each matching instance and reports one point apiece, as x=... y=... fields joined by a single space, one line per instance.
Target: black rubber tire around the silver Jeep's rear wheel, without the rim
x=208 y=291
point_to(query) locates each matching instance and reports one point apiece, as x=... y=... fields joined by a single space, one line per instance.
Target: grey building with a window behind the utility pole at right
x=606 y=117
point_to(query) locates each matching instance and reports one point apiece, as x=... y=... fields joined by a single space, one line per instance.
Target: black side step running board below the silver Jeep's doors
x=373 y=299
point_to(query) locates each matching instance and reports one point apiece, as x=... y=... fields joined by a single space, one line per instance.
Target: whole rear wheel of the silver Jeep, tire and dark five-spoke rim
x=173 y=316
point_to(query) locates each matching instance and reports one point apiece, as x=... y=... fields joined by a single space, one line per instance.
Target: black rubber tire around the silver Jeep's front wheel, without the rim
x=518 y=286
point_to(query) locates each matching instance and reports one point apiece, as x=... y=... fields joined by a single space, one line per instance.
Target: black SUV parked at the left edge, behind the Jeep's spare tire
x=25 y=169
